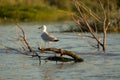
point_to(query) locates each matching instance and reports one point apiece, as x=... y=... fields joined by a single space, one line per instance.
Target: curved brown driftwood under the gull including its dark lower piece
x=62 y=52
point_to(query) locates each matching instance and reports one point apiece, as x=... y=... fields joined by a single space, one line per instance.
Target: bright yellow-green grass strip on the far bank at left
x=28 y=13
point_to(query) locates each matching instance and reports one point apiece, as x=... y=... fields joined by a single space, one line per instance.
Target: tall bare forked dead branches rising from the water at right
x=82 y=9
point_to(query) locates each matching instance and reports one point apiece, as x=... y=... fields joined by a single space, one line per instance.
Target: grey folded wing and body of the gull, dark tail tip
x=48 y=37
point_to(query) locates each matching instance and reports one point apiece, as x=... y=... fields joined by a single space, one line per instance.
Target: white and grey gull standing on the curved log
x=47 y=37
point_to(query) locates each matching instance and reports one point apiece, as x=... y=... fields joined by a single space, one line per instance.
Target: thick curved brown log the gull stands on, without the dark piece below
x=63 y=52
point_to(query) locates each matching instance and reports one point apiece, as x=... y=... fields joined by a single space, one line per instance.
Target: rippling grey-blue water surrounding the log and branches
x=96 y=65
